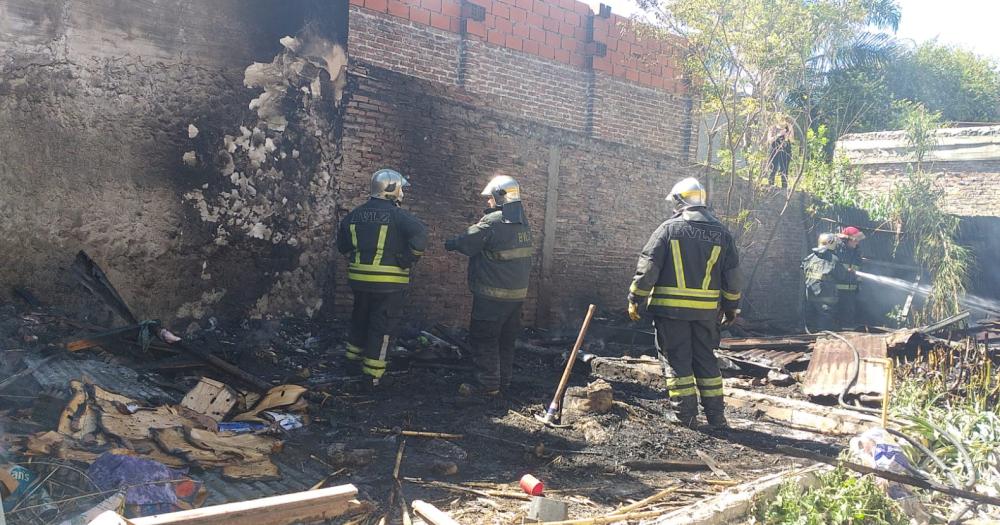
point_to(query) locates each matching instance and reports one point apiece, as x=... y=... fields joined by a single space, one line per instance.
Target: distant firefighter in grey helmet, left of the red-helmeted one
x=823 y=272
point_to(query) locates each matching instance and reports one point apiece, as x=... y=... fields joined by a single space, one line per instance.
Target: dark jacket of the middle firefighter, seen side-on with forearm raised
x=500 y=252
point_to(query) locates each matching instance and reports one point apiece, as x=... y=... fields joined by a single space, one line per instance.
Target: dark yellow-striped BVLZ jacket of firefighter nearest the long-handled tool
x=689 y=268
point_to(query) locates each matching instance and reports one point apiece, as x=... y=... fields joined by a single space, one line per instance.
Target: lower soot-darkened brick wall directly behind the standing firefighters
x=608 y=198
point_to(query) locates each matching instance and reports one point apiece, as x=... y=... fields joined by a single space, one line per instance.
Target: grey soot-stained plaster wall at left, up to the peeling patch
x=95 y=102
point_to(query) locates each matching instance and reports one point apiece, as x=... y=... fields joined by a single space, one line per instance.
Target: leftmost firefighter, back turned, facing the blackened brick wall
x=381 y=242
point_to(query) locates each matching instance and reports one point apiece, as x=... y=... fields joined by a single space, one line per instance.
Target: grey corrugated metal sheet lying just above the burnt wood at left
x=119 y=379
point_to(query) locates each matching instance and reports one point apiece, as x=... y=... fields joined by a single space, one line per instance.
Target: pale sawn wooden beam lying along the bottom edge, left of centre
x=299 y=507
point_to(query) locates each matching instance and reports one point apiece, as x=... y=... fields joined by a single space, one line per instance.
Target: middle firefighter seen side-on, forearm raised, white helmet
x=499 y=248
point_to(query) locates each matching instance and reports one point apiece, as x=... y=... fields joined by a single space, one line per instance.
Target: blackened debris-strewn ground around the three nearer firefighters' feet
x=499 y=444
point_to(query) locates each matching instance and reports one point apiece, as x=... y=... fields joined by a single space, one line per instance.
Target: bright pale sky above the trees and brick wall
x=971 y=24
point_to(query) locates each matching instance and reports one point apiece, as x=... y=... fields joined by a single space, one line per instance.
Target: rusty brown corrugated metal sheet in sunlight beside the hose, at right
x=833 y=362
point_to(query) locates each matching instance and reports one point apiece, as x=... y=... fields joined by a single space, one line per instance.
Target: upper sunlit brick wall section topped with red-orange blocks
x=537 y=60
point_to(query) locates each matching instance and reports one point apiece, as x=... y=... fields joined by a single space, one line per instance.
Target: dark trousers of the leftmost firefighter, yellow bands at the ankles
x=373 y=327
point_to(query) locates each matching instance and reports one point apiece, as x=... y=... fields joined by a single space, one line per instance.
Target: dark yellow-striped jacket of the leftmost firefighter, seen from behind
x=381 y=242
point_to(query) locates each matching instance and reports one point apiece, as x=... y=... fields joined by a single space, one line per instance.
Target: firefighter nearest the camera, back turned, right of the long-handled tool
x=688 y=275
